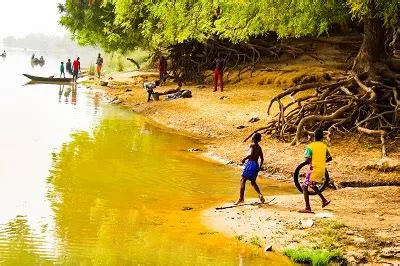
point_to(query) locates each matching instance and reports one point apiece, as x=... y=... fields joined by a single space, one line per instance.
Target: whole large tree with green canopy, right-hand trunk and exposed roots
x=366 y=100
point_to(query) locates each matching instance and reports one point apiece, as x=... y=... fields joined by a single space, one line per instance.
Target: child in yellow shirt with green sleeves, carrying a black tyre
x=317 y=154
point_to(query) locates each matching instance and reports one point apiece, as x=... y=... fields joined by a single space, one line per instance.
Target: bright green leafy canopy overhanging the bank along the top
x=121 y=25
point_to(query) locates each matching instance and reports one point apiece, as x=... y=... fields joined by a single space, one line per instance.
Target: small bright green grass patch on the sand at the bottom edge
x=316 y=257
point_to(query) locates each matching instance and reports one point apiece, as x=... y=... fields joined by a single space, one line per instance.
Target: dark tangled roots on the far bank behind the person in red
x=191 y=59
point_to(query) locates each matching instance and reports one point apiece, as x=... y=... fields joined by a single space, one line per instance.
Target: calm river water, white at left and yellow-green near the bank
x=84 y=183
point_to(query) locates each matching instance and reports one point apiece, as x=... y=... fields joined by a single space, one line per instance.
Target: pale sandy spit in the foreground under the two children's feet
x=363 y=223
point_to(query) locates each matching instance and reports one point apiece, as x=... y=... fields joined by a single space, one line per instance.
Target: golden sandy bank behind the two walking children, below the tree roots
x=215 y=117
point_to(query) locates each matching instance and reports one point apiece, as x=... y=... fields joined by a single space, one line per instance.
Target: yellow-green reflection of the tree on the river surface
x=117 y=197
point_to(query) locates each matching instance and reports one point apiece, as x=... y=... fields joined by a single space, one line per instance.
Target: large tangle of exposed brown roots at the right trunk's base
x=353 y=103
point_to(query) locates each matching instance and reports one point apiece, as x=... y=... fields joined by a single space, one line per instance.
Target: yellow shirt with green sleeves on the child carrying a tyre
x=318 y=152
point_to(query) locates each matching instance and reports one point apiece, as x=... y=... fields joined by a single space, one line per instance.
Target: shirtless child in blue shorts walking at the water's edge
x=251 y=168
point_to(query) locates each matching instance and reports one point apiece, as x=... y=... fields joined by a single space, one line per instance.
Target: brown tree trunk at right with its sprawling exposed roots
x=367 y=100
